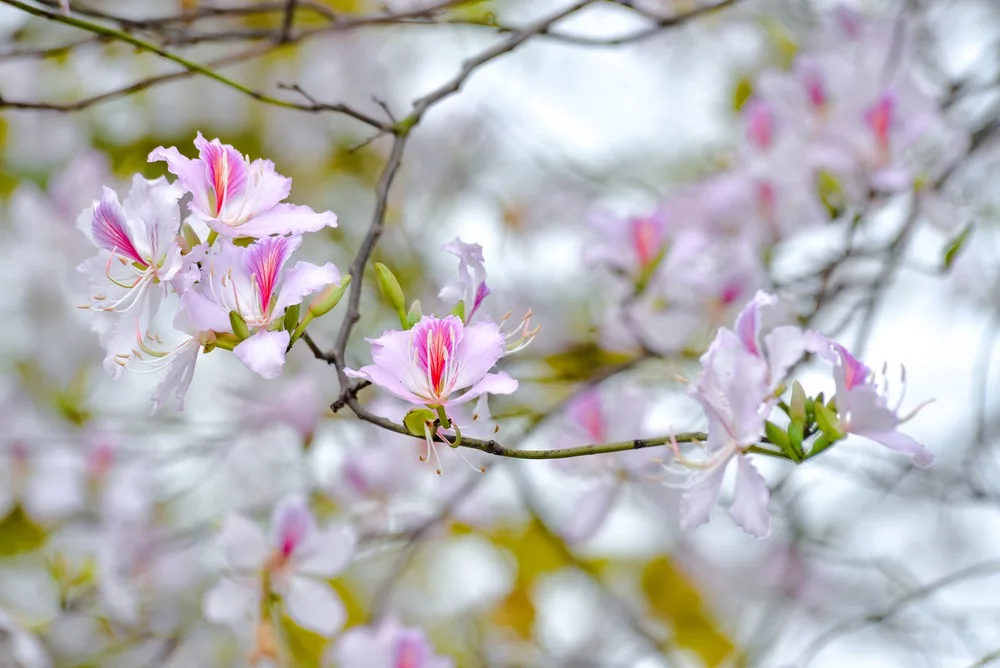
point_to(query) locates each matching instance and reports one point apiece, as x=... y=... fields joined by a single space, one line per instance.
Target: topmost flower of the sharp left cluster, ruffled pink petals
x=236 y=197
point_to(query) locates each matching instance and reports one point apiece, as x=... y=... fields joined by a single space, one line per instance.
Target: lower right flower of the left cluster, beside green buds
x=248 y=285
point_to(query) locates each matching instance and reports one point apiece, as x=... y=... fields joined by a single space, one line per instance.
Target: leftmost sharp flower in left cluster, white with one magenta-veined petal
x=138 y=257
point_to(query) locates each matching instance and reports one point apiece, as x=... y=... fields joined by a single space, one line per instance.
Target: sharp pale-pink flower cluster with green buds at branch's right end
x=743 y=376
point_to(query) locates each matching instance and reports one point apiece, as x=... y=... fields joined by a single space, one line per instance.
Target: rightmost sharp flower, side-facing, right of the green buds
x=863 y=406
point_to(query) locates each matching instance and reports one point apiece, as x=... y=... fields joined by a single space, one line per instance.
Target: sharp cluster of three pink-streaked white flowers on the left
x=223 y=269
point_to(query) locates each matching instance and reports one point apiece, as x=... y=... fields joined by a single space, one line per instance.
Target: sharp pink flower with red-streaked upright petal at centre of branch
x=433 y=362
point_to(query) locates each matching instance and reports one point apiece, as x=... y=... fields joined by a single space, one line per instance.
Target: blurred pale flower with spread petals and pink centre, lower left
x=294 y=564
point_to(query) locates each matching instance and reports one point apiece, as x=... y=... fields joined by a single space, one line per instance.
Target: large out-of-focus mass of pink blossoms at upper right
x=851 y=117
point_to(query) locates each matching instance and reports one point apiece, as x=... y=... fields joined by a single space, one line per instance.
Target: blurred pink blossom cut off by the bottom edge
x=388 y=645
